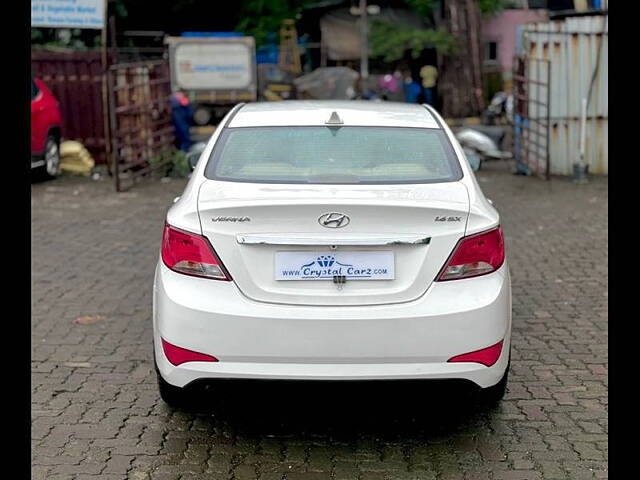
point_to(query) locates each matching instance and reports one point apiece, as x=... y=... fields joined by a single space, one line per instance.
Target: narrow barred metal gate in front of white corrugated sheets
x=531 y=110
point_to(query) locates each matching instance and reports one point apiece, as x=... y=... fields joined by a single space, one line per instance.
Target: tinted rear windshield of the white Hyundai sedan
x=339 y=155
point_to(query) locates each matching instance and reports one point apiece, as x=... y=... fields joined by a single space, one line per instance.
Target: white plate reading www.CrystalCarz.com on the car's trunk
x=325 y=265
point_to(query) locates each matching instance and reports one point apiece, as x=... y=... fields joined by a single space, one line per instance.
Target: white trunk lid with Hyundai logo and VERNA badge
x=395 y=240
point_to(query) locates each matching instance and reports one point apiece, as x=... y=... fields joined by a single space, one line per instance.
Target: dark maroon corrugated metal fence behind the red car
x=75 y=78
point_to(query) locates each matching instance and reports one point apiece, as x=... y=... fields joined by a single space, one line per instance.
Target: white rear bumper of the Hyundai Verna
x=411 y=340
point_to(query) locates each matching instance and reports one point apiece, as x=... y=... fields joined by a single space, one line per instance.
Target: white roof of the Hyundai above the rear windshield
x=318 y=112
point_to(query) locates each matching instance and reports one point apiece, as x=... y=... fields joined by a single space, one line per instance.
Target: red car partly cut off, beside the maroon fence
x=45 y=129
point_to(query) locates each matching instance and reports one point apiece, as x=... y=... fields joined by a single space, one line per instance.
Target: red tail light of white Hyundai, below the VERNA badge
x=191 y=254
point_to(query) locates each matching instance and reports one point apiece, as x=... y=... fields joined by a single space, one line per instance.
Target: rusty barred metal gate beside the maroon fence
x=142 y=135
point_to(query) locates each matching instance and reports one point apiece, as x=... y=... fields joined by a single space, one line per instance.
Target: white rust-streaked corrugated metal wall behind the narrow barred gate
x=575 y=46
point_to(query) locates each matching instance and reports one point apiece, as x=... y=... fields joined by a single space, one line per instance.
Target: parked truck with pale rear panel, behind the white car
x=215 y=72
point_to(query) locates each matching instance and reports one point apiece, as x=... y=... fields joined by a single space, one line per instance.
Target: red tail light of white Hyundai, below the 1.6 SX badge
x=475 y=255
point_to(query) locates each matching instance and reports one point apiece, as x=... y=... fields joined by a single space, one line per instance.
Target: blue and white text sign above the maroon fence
x=68 y=13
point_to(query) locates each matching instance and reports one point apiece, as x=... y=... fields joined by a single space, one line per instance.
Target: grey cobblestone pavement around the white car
x=96 y=411
